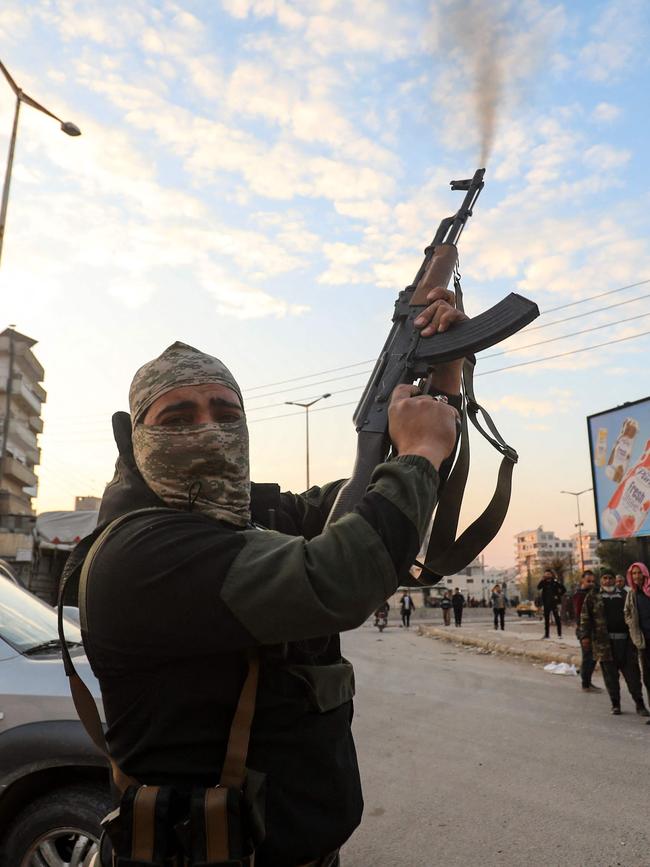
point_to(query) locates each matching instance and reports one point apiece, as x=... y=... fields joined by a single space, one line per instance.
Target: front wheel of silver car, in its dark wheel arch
x=61 y=829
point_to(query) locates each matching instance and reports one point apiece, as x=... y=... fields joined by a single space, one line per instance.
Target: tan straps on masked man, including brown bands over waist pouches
x=234 y=767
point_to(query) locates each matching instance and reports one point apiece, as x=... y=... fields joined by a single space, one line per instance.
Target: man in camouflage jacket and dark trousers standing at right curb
x=604 y=630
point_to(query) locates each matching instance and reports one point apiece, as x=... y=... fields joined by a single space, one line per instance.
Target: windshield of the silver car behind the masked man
x=27 y=623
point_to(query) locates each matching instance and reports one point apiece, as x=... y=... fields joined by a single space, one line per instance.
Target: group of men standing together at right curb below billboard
x=613 y=627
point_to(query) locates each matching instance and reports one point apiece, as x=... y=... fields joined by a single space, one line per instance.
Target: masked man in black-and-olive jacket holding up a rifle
x=182 y=590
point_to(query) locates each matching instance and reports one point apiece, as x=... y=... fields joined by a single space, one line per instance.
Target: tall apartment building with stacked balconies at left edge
x=21 y=398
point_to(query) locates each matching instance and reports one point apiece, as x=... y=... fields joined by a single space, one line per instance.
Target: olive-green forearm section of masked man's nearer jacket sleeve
x=283 y=588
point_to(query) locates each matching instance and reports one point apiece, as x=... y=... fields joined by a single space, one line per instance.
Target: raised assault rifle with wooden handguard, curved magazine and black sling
x=409 y=358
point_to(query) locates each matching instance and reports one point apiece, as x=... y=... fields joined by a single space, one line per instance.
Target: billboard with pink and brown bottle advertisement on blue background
x=619 y=444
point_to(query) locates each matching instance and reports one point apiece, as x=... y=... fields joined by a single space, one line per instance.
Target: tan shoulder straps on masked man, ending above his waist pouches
x=233 y=770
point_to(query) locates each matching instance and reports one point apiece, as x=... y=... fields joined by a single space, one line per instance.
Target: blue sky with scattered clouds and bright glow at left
x=259 y=178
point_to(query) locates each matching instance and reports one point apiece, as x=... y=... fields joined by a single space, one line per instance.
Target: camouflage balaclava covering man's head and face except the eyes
x=204 y=467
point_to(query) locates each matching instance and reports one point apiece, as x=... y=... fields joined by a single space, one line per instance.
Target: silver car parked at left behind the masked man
x=54 y=784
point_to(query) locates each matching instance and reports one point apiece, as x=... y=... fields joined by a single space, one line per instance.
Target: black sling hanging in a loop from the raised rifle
x=445 y=554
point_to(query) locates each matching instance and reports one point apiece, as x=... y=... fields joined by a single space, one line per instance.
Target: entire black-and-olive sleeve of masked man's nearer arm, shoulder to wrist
x=181 y=584
